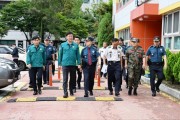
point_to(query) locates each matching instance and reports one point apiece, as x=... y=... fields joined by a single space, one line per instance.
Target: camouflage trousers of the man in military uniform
x=133 y=76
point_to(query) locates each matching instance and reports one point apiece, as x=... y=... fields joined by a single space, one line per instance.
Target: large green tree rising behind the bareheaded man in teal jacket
x=61 y=16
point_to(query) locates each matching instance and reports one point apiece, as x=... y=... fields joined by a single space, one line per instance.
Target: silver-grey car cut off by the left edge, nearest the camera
x=9 y=72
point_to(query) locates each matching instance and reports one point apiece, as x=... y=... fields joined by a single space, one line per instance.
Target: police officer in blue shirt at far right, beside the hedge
x=154 y=57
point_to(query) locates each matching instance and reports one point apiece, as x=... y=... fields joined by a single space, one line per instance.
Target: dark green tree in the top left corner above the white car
x=18 y=16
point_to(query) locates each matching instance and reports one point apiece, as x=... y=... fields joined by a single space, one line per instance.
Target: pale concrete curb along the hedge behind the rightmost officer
x=174 y=93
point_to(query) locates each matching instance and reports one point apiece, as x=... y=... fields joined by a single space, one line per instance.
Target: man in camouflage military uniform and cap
x=135 y=57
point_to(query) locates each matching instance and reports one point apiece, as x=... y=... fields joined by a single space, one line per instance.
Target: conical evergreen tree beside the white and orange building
x=105 y=29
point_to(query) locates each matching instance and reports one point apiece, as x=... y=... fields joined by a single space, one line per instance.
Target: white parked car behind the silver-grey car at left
x=5 y=52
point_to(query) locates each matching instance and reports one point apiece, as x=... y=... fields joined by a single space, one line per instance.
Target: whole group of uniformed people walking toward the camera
x=123 y=62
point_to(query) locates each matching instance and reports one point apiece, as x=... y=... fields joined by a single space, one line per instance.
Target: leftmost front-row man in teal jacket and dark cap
x=36 y=60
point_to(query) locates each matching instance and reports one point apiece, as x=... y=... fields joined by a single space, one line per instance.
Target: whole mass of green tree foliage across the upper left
x=43 y=16
